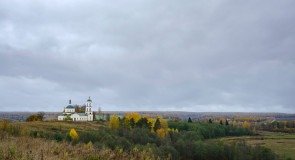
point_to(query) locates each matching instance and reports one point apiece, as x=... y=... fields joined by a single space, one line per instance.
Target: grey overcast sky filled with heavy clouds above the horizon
x=148 y=55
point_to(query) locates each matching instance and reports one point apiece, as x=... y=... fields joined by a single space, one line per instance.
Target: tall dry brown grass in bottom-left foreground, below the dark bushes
x=29 y=148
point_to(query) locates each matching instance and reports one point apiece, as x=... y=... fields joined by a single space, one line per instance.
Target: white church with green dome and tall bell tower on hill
x=70 y=111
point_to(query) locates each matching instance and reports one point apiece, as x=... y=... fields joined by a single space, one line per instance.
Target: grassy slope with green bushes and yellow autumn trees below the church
x=130 y=137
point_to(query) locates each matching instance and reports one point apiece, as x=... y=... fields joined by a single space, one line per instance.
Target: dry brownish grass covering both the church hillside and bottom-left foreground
x=26 y=147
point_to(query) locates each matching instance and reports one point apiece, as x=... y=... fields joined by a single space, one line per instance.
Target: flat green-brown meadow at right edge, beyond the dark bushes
x=281 y=143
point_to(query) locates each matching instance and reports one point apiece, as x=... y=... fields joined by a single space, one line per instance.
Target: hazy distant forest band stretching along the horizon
x=169 y=115
